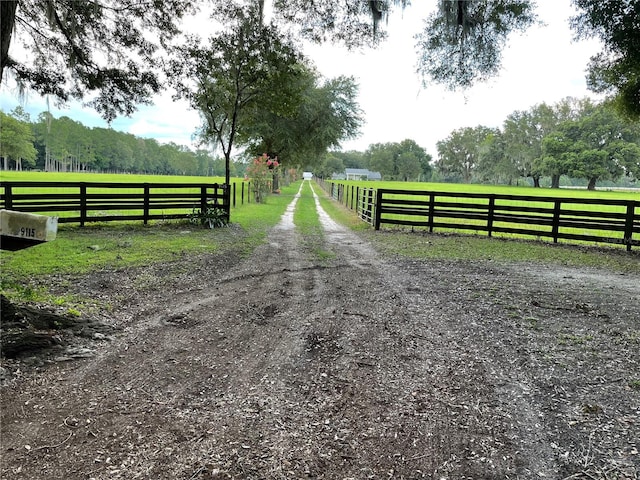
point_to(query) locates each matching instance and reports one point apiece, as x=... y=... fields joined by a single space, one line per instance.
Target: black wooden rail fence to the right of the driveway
x=552 y=218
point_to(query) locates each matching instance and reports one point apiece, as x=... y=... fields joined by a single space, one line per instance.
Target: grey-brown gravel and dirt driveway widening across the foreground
x=354 y=366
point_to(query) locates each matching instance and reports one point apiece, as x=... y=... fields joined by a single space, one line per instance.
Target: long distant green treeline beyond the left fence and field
x=65 y=145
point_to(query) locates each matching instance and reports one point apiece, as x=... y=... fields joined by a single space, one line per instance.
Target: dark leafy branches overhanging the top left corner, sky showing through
x=107 y=48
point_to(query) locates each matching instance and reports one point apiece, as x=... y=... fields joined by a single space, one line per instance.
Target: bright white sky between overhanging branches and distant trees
x=543 y=64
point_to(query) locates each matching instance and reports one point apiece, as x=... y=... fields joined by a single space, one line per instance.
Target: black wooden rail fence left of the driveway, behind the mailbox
x=82 y=202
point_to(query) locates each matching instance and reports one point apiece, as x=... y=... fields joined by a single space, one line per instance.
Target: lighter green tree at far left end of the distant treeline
x=16 y=140
